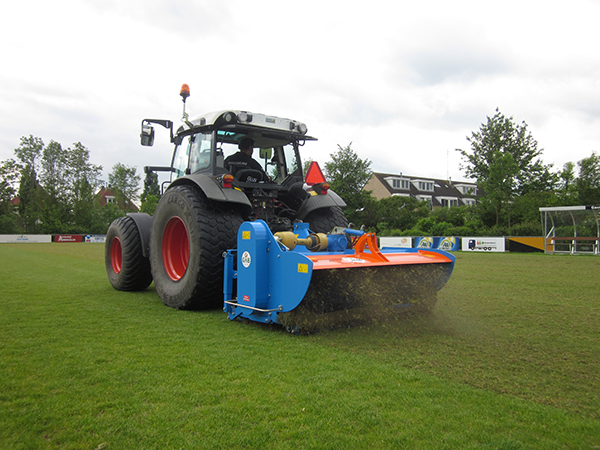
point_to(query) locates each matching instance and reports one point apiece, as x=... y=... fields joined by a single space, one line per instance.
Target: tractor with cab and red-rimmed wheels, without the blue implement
x=212 y=190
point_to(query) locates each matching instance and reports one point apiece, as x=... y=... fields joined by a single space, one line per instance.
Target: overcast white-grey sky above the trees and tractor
x=405 y=81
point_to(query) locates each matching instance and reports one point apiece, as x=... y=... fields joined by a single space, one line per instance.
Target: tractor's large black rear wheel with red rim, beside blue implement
x=189 y=235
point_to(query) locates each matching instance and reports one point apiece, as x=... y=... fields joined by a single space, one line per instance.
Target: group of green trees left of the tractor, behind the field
x=50 y=189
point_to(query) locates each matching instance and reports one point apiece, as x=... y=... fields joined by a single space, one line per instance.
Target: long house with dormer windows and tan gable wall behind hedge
x=439 y=193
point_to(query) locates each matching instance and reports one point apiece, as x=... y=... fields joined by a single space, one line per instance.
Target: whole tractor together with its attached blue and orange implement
x=262 y=240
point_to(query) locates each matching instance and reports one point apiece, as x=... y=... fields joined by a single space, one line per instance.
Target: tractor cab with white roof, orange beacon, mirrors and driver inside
x=268 y=185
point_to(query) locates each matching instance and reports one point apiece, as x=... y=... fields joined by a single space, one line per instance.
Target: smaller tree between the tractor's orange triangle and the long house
x=347 y=174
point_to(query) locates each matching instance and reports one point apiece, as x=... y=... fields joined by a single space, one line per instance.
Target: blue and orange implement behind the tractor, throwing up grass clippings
x=276 y=279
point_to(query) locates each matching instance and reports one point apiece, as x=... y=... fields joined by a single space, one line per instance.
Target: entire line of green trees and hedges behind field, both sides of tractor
x=57 y=189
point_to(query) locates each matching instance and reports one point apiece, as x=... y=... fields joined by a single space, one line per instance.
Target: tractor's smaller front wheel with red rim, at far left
x=126 y=266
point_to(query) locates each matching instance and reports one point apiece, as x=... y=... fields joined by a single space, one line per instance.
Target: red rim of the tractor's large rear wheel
x=176 y=248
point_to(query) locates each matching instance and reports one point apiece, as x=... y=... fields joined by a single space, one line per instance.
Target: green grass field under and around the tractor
x=510 y=359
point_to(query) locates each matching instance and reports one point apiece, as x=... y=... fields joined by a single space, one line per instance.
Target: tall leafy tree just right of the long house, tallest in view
x=505 y=161
